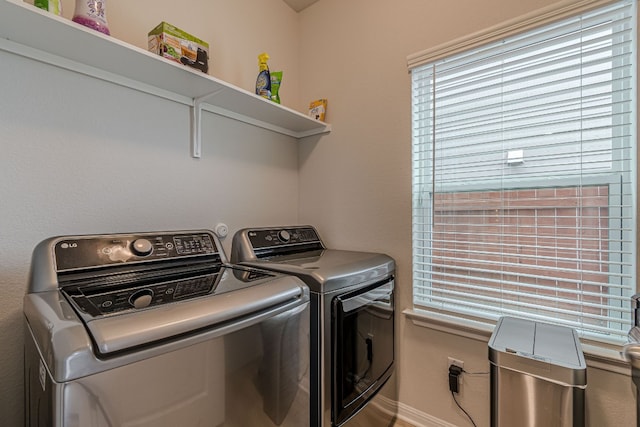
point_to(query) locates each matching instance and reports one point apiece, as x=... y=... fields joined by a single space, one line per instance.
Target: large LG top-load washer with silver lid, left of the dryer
x=159 y=330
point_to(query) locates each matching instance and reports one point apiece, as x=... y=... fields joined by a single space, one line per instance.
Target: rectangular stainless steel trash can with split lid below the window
x=538 y=375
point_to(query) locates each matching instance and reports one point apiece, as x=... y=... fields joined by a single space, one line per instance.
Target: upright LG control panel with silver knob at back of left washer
x=95 y=251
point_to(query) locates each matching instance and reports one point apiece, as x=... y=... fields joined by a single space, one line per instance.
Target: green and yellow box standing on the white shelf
x=172 y=43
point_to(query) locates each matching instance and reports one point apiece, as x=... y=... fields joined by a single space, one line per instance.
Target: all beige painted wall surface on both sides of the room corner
x=69 y=144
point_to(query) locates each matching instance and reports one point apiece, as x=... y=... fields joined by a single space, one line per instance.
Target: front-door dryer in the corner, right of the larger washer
x=352 y=321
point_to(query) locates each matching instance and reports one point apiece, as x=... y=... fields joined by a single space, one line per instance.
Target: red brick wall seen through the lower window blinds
x=553 y=238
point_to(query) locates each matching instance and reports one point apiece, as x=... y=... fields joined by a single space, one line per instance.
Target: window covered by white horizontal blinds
x=524 y=169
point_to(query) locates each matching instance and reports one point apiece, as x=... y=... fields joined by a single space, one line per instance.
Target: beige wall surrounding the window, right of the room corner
x=355 y=184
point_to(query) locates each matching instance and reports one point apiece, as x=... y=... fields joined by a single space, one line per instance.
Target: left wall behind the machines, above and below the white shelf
x=78 y=155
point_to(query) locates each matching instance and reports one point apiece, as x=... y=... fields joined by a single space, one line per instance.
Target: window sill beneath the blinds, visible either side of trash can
x=599 y=356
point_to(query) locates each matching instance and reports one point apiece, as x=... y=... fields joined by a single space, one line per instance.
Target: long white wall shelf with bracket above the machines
x=33 y=33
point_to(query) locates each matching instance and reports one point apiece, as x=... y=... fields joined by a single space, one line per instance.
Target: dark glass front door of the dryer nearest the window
x=363 y=355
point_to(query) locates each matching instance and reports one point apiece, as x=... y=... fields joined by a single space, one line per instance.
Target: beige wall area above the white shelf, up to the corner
x=237 y=31
